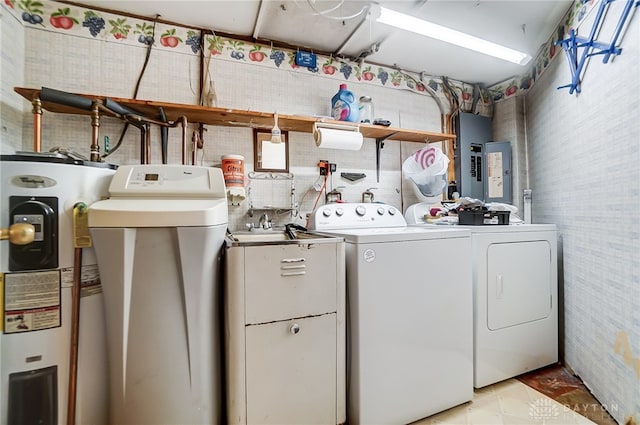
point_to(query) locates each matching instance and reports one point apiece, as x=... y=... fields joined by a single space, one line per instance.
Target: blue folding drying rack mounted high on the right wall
x=590 y=46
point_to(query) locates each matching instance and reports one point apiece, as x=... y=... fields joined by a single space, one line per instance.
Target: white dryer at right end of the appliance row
x=515 y=284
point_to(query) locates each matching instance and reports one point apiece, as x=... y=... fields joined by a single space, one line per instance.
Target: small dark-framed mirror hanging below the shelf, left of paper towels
x=269 y=156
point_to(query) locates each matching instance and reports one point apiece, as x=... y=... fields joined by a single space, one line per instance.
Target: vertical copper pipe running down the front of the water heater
x=75 y=327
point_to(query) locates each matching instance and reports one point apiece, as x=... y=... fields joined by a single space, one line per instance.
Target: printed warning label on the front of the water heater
x=31 y=301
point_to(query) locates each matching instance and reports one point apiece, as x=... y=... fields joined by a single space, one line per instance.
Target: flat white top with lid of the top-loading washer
x=397 y=234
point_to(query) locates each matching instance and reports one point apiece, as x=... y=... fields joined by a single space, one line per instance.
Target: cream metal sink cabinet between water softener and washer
x=285 y=334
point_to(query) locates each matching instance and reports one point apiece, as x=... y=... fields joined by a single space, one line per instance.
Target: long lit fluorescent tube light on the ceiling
x=409 y=23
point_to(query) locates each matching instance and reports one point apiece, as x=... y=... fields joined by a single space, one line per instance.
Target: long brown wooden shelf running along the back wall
x=237 y=118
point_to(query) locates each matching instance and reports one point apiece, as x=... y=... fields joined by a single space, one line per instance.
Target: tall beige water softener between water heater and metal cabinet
x=158 y=239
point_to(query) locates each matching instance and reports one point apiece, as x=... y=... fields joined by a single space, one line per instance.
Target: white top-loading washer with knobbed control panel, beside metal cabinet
x=409 y=321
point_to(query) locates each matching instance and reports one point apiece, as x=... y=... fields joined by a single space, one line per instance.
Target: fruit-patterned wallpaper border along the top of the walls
x=51 y=15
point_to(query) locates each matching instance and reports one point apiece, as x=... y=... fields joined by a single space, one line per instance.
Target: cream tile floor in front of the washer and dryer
x=510 y=402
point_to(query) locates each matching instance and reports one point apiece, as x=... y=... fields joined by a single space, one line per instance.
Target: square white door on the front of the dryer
x=518 y=283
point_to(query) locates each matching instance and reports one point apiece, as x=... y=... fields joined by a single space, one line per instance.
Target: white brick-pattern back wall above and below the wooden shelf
x=83 y=65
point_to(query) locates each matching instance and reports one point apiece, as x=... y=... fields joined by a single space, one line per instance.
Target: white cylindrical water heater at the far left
x=37 y=279
